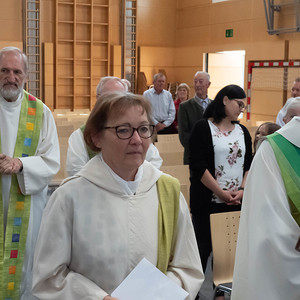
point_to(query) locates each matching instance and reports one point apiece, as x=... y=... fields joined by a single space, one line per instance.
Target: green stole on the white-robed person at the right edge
x=288 y=158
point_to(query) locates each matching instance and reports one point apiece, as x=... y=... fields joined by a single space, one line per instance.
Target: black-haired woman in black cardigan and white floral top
x=220 y=157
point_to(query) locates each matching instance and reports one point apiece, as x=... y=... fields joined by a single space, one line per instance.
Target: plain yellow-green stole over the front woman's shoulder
x=168 y=189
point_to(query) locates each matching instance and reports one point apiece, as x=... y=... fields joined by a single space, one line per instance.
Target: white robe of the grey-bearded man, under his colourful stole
x=33 y=180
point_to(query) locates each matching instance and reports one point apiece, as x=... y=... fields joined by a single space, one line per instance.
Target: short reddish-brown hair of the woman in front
x=108 y=105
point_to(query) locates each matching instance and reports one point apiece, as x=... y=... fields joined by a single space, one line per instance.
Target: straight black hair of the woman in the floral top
x=216 y=109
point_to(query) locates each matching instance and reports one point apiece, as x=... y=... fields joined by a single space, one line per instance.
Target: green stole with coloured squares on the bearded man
x=12 y=255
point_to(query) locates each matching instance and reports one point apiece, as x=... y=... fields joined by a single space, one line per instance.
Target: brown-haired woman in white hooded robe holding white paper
x=117 y=210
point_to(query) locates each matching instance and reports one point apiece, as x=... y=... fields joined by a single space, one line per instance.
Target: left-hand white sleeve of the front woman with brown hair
x=52 y=277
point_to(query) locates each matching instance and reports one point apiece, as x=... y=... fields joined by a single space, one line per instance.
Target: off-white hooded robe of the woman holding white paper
x=93 y=234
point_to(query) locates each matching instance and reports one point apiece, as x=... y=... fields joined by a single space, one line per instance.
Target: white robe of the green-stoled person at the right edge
x=267 y=266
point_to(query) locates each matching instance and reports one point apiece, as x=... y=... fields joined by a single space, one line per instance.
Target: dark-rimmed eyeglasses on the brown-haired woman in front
x=125 y=132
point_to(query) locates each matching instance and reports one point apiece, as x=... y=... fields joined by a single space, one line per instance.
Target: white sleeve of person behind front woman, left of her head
x=77 y=155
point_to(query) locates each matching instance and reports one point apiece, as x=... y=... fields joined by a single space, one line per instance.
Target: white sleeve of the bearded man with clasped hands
x=39 y=169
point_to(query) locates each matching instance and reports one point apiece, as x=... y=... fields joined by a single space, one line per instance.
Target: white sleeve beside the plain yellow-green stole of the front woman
x=185 y=267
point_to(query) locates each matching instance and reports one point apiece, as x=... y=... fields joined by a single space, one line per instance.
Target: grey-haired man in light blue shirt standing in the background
x=163 y=109
